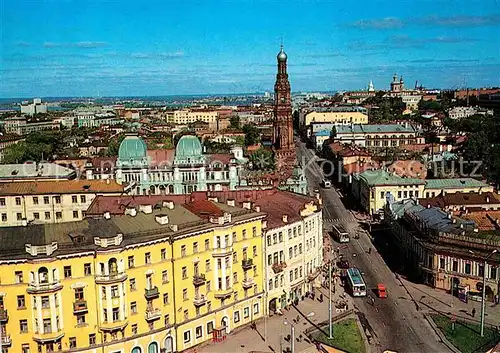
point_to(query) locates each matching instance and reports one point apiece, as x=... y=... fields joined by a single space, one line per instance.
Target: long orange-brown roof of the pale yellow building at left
x=60 y=187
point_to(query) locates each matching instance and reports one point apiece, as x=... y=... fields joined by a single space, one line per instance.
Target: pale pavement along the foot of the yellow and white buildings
x=271 y=332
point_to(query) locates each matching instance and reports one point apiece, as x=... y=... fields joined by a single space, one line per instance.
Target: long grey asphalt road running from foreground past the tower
x=394 y=322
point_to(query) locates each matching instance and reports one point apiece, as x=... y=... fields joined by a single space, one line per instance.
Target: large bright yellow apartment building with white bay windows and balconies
x=156 y=276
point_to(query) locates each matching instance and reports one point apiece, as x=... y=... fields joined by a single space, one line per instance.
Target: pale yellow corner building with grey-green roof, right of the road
x=373 y=187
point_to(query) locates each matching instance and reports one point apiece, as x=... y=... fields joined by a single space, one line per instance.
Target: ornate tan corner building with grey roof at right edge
x=444 y=251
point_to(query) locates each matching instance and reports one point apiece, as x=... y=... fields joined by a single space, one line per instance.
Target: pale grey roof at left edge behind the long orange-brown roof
x=35 y=170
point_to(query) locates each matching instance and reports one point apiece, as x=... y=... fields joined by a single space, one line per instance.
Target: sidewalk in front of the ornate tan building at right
x=431 y=300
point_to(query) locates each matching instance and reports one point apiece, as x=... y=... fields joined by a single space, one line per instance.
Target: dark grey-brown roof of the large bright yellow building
x=141 y=227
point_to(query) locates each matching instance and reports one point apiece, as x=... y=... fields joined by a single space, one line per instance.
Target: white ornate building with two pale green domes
x=186 y=169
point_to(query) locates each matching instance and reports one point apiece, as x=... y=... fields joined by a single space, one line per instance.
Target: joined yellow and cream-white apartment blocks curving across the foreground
x=155 y=273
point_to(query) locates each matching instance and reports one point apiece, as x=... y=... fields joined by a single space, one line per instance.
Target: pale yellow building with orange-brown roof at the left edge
x=61 y=201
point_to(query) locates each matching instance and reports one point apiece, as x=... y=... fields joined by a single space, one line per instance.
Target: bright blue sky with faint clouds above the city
x=114 y=48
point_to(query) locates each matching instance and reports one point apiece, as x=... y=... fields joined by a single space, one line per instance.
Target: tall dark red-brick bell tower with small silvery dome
x=283 y=123
